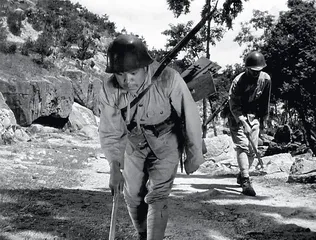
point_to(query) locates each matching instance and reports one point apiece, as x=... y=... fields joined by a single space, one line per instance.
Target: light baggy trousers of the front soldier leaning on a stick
x=148 y=183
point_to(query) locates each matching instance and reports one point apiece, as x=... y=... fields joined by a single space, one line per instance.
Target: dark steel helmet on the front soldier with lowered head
x=126 y=53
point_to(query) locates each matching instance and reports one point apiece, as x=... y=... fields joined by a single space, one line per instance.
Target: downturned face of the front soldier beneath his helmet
x=131 y=80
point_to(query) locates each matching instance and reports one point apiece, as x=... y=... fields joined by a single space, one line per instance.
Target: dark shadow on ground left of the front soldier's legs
x=60 y=214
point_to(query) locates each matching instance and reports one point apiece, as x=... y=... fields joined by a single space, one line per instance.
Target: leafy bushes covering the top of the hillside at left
x=68 y=30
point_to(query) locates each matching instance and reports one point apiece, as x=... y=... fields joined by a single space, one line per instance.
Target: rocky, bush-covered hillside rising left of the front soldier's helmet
x=52 y=55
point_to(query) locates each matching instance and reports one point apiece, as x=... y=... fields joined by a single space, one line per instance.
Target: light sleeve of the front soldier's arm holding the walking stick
x=112 y=130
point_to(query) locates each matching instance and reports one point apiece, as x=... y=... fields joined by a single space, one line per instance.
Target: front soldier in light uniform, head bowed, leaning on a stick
x=143 y=142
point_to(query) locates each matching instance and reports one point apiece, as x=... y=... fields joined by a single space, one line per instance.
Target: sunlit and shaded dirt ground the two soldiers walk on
x=56 y=187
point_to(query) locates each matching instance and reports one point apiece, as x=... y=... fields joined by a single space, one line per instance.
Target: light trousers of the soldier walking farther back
x=244 y=150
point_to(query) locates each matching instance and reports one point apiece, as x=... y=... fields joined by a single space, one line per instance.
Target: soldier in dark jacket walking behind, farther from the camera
x=249 y=97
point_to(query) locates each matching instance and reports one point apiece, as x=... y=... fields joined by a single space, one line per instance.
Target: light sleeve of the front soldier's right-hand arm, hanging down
x=186 y=108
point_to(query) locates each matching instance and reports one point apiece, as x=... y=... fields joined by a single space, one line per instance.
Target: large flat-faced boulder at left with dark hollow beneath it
x=37 y=96
